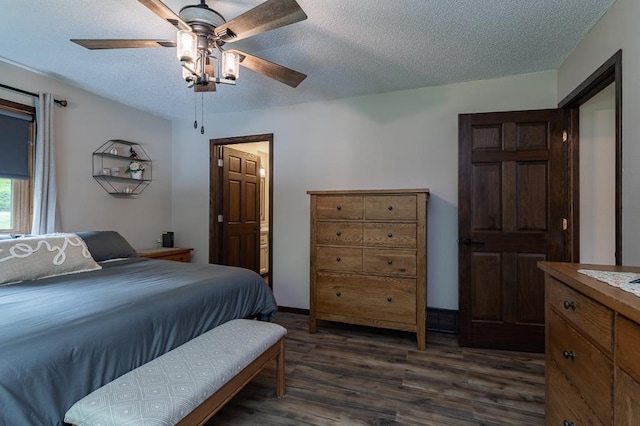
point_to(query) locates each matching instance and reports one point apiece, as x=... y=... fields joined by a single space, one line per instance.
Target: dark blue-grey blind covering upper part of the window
x=14 y=145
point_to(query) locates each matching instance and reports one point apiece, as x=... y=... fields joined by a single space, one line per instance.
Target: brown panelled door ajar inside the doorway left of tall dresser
x=241 y=209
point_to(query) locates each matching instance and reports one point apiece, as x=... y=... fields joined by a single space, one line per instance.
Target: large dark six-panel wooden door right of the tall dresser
x=510 y=216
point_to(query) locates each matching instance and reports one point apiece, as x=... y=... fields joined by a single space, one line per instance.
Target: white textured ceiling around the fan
x=346 y=47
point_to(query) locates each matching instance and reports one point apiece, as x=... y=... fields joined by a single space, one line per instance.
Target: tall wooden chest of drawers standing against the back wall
x=369 y=259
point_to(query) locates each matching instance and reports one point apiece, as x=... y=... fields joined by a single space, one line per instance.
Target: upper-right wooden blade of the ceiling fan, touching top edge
x=267 y=16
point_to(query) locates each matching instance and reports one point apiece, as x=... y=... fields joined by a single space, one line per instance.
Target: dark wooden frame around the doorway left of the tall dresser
x=215 y=197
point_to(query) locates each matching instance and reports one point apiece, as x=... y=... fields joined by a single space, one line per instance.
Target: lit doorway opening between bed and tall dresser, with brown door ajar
x=241 y=208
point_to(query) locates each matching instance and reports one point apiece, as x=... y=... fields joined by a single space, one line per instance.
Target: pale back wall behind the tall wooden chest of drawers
x=405 y=139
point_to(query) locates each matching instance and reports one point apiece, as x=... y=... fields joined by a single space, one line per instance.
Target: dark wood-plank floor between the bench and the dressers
x=349 y=375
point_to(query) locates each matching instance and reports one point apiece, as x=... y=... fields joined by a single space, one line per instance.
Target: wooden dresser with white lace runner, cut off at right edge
x=592 y=348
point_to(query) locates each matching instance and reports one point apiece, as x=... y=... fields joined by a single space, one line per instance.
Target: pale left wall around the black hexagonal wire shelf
x=83 y=126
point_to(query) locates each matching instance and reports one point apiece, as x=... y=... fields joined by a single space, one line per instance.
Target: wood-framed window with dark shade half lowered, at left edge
x=16 y=192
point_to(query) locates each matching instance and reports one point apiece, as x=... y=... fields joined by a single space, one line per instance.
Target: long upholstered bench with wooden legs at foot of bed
x=189 y=384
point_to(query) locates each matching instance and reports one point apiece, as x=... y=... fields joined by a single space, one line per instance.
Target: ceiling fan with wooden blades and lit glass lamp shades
x=202 y=32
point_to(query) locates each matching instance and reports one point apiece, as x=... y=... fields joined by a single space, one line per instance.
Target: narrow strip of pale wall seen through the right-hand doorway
x=598 y=179
